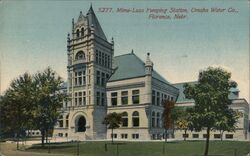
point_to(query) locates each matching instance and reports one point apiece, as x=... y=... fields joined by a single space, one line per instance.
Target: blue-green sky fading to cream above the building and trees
x=33 y=36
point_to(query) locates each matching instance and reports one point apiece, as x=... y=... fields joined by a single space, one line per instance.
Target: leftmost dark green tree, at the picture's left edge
x=17 y=107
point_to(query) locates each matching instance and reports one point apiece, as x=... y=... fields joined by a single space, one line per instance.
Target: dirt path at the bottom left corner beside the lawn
x=9 y=149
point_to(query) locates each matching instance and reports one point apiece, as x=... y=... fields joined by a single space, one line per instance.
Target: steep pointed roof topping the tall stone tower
x=93 y=21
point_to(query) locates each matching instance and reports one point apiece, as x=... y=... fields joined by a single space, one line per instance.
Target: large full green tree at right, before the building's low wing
x=211 y=100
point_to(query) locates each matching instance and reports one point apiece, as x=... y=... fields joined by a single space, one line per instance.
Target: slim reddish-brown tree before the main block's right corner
x=167 y=116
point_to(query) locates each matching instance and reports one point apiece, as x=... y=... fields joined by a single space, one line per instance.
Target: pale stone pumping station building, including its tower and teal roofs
x=100 y=83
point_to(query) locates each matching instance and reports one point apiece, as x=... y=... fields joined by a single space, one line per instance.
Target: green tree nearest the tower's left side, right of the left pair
x=48 y=99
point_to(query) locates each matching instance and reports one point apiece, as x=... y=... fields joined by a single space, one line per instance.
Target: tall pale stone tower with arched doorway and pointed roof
x=89 y=67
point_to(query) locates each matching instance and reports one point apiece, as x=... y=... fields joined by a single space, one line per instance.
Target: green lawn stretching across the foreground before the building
x=181 y=148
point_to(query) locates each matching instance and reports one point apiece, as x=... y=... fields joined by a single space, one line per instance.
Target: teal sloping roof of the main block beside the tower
x=131 y=66
